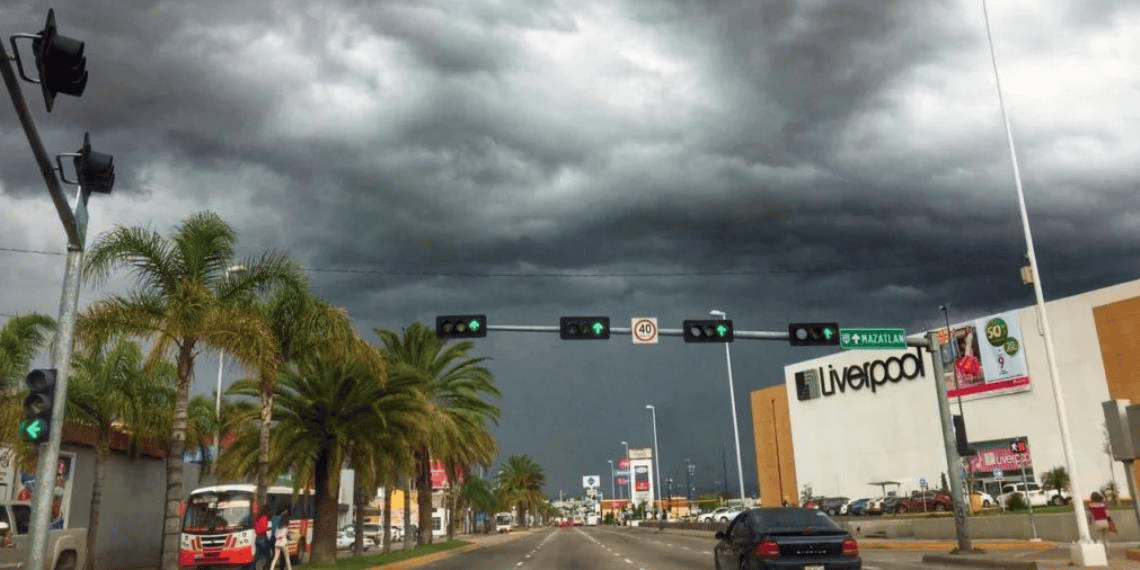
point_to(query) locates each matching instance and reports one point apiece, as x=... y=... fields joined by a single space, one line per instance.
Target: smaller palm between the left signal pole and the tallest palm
x=111 y=392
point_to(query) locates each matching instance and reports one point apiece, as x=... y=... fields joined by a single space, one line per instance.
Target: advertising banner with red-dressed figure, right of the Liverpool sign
x=986 y=357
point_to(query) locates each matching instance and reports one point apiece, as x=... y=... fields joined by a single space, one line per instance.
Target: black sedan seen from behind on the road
x=775 y=538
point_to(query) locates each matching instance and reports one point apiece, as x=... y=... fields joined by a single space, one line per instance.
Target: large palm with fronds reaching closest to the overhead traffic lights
x=455 y=388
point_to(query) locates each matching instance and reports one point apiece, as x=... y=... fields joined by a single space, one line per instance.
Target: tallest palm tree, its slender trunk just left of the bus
x=185 y=298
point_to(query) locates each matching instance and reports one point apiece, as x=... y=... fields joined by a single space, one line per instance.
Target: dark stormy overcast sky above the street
x=777 y=160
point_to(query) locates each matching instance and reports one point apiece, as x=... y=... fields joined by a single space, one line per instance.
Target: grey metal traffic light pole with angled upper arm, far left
x=69 y=306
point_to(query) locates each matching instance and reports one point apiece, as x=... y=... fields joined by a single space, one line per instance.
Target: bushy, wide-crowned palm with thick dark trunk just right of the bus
x=324 y=411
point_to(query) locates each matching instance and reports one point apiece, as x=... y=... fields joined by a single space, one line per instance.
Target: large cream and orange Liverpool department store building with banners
x=859 y=424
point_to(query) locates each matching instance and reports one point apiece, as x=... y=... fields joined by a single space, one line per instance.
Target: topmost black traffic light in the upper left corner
x=59 y=59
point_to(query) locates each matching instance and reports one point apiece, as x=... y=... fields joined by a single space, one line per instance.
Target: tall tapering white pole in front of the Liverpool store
x=1086 y=551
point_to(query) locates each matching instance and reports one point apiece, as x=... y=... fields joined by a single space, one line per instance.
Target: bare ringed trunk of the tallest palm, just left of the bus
x=172 y=531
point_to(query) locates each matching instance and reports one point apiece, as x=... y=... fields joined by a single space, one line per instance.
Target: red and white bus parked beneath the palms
x=218 y=525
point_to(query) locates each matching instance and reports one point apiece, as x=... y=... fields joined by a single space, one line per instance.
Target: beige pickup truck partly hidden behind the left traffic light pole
x=67 y=549
